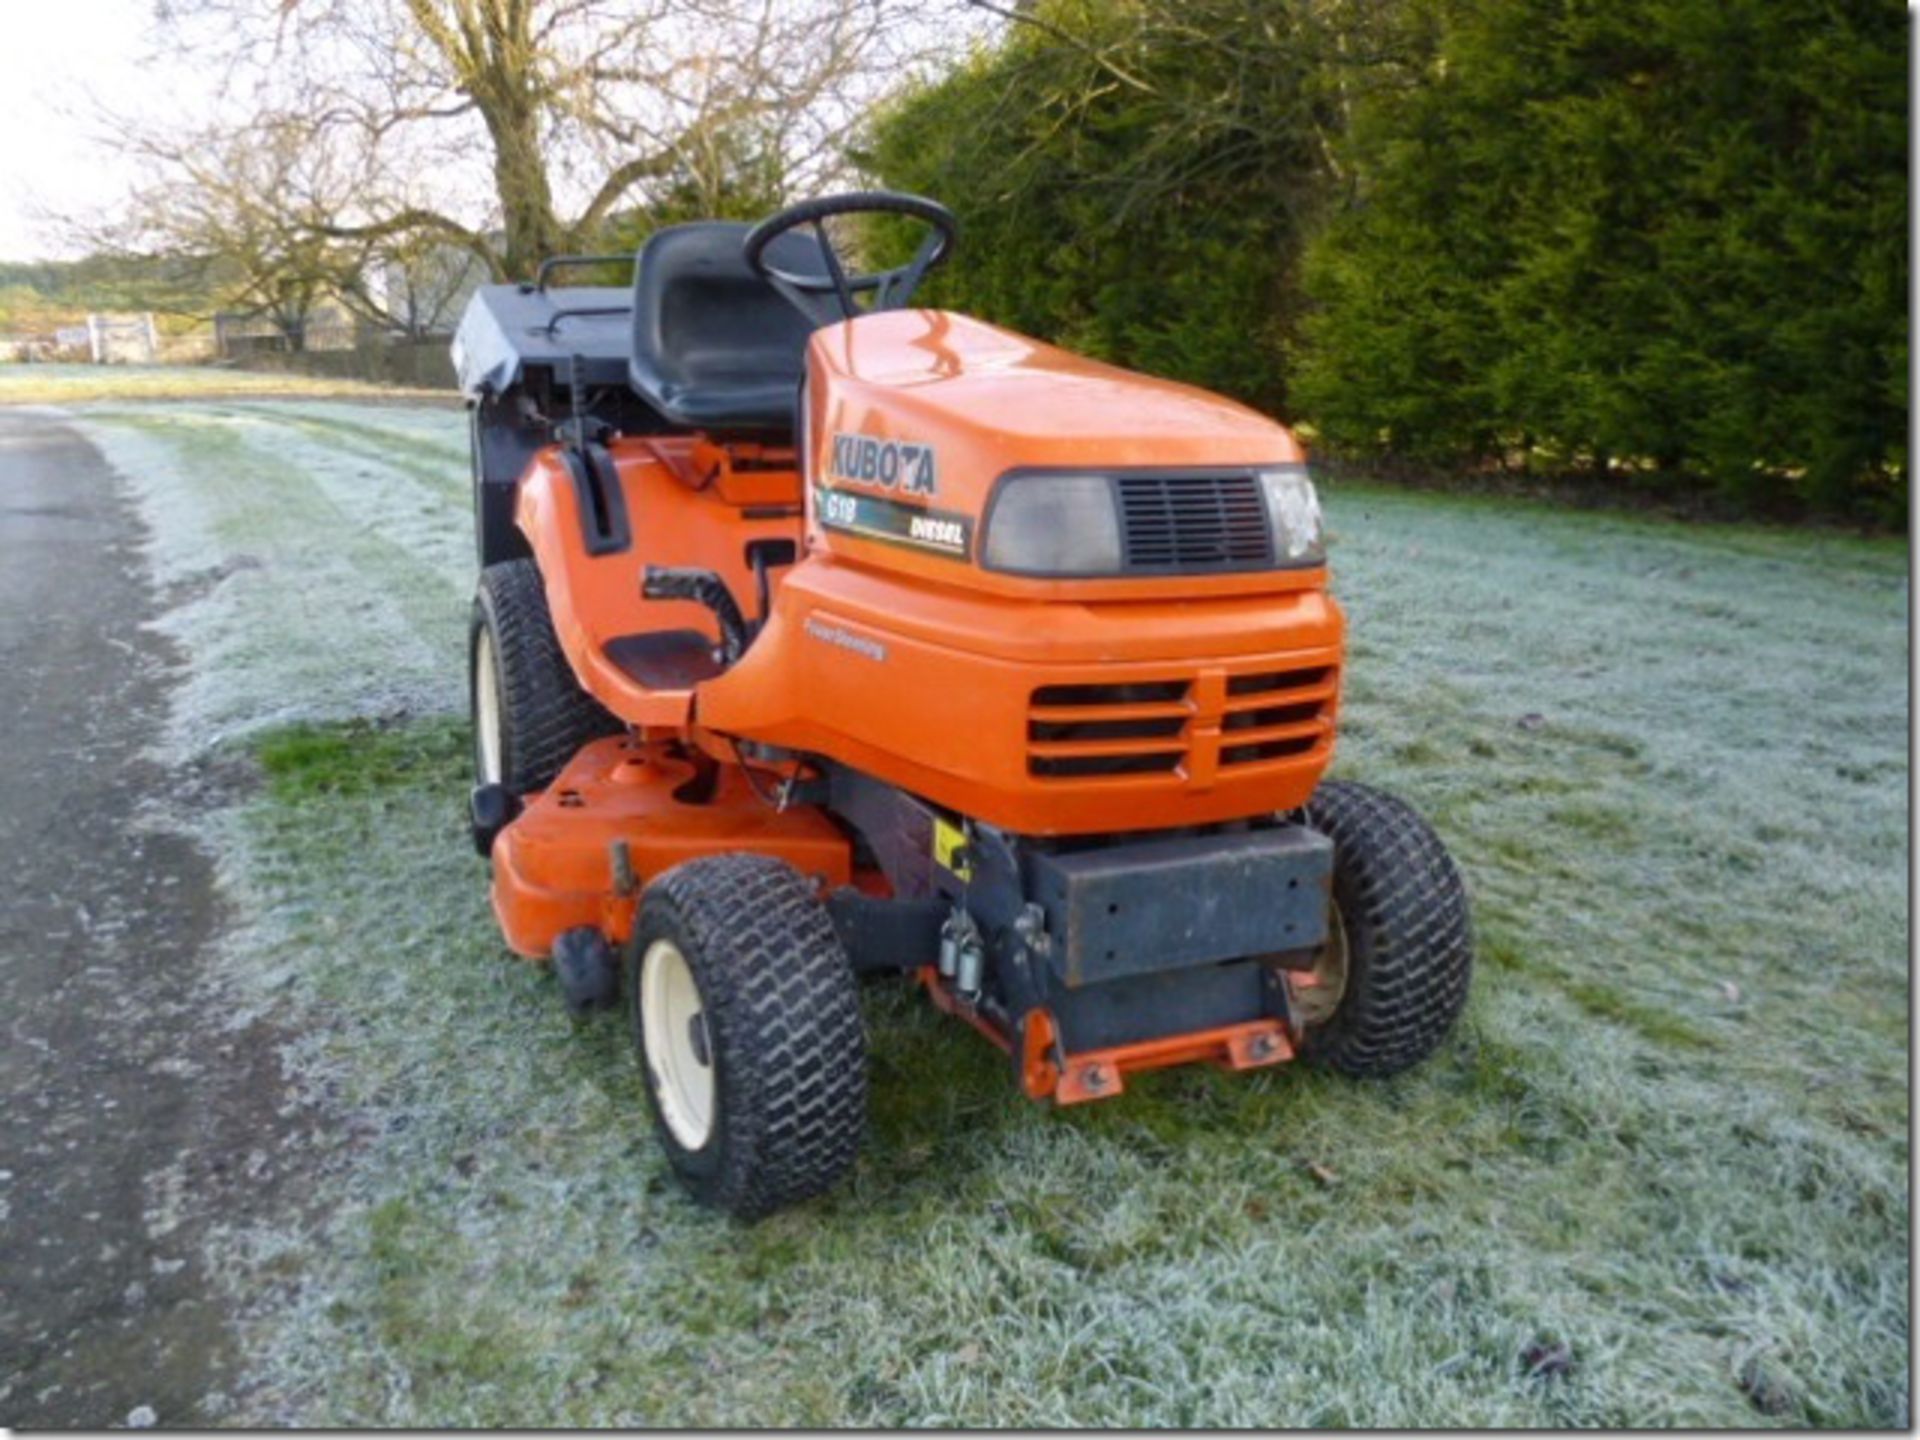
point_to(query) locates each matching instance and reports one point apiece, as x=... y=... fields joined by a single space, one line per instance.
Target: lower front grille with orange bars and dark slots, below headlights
x=1163 y=727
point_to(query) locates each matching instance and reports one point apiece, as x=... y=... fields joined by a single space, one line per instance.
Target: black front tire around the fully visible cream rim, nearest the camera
x=782 y=1028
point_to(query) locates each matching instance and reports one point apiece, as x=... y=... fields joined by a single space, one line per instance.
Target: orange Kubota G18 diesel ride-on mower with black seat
x=821 y=636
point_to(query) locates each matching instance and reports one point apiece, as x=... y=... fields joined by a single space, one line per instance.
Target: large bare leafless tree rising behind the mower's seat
x=517 y=130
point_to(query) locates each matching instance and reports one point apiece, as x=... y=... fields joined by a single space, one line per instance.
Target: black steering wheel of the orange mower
x=809 y=289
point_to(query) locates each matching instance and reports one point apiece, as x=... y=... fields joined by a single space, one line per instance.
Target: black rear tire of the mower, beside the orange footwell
x=544 y=713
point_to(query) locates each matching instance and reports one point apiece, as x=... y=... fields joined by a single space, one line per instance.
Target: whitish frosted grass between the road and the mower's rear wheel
x=314 y=577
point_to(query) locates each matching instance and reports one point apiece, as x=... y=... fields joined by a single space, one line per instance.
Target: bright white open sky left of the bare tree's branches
x=57 y=60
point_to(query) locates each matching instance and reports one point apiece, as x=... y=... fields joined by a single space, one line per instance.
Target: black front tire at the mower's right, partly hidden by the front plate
x=1408 y=934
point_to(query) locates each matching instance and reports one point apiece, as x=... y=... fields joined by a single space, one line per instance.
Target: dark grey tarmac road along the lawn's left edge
x=132 y=1115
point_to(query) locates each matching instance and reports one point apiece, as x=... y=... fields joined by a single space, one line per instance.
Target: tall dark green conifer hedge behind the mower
x=1660 y=243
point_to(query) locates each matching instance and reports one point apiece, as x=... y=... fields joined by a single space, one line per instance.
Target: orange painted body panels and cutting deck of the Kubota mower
x=924 y=671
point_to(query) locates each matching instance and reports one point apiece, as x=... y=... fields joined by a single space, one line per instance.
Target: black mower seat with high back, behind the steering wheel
x=715 y=347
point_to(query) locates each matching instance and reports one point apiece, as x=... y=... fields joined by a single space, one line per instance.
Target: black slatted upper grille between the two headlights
x=1188 y=523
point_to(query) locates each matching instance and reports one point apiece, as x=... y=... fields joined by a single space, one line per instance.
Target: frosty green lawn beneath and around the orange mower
x=1666 y=1149
